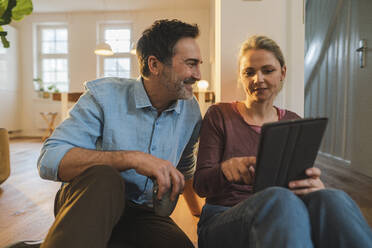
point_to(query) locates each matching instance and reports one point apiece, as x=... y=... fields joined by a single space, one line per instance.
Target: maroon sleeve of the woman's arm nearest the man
x=209 y=179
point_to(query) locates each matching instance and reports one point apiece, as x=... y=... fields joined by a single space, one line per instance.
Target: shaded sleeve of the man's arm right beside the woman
x=188 y=159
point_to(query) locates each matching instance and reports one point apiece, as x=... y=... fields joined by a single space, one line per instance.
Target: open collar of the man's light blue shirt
x=142 y=100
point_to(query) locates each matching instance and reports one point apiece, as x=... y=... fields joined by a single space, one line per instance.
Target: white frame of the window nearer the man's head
x=101 y=27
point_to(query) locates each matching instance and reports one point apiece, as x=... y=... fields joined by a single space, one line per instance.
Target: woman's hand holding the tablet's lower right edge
x=311 y=184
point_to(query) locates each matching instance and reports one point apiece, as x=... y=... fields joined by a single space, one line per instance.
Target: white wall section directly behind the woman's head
x=282 y=20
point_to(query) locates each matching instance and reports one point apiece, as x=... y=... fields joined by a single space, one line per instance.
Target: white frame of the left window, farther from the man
x=40 y=55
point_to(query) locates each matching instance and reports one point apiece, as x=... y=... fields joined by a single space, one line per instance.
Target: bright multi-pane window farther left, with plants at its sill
x=53 y=56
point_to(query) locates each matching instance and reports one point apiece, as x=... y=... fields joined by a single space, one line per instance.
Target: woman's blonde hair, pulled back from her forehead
x=257 y=42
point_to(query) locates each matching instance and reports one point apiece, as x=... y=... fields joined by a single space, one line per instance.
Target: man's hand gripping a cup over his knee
x=162 y=170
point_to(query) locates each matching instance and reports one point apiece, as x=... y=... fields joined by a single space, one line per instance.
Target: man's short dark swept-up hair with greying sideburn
x=159 y=41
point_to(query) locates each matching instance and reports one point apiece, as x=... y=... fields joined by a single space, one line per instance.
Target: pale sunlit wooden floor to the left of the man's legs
x=26 y=201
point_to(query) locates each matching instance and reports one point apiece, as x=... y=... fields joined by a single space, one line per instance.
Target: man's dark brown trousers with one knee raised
x=91 y=212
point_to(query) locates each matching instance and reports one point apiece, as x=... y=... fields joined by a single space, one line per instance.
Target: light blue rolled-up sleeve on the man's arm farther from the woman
x=81 y=129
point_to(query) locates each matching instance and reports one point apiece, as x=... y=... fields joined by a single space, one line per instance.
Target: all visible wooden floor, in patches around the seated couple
x=26 y=201
